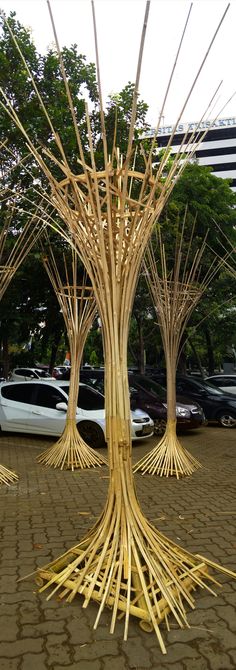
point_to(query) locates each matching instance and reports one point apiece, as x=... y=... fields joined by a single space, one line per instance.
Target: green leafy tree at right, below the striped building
x=210 y=201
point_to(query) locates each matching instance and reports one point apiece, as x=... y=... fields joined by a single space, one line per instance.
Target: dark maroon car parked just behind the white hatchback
x=151 y=397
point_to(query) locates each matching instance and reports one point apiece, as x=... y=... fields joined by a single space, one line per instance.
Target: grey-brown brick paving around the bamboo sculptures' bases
x=48 y=511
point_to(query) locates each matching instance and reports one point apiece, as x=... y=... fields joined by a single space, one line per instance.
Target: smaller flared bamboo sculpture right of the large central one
x=176 y=288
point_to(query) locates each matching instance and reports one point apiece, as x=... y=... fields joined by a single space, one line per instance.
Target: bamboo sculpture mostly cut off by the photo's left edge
x=11 y=257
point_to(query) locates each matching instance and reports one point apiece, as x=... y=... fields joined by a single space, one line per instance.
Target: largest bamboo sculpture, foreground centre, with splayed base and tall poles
x=124 y=562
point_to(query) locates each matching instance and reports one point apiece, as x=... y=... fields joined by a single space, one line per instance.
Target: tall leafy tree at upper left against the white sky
x=17 y=85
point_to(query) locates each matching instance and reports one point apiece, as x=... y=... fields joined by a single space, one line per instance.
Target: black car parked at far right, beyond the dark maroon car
x=217 y=405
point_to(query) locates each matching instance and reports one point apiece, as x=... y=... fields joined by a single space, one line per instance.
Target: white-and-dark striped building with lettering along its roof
x=217 y=150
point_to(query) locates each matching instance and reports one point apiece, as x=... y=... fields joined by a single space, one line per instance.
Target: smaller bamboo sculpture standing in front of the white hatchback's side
x=78 y=308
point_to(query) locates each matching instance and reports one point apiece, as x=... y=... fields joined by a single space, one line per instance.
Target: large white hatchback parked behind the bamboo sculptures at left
x=41 y=406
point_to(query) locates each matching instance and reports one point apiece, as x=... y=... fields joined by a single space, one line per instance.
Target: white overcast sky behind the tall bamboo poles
x=119 y=24
